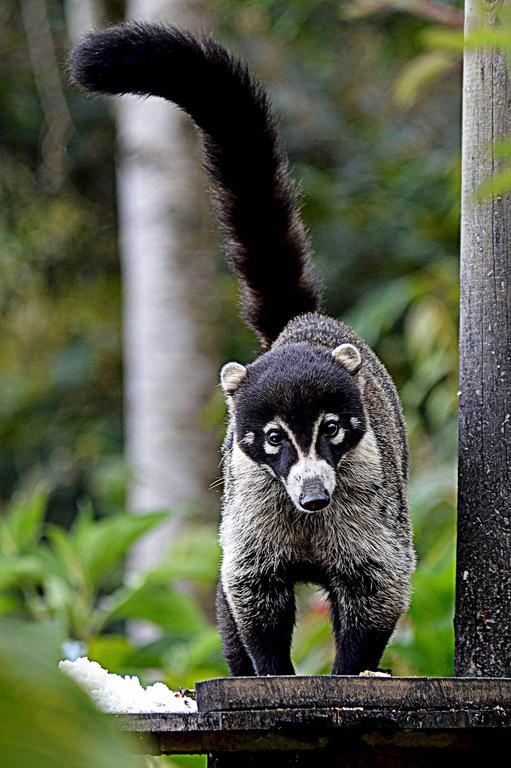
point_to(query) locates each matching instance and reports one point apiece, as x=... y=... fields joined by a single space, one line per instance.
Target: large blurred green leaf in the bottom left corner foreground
x=47 y=720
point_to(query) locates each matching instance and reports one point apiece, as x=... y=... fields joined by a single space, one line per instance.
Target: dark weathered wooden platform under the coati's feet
x=342 y=721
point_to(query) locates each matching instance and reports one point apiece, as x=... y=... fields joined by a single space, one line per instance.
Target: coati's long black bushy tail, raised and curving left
x=267 y=245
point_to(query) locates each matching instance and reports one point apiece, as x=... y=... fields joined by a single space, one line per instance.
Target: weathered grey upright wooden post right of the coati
x=483 y=589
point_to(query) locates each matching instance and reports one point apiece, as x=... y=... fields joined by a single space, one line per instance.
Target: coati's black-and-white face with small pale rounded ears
x=297 y=412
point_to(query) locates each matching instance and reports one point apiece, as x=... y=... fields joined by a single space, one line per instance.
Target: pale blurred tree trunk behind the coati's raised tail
x=168 y=375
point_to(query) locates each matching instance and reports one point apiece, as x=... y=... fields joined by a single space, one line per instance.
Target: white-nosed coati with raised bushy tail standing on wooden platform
x=315 y=455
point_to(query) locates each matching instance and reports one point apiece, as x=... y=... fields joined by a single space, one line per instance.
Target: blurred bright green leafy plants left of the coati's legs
x=74 y=577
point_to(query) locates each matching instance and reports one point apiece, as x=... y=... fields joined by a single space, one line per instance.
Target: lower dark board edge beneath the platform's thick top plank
x=305 y=730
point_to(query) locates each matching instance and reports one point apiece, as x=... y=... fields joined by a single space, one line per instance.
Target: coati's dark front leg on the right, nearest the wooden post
x=362 y=629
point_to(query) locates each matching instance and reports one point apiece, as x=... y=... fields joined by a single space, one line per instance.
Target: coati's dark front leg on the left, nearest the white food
x=263 y=609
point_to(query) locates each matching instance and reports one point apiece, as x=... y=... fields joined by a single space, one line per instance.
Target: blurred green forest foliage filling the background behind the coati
x=380 y=178
